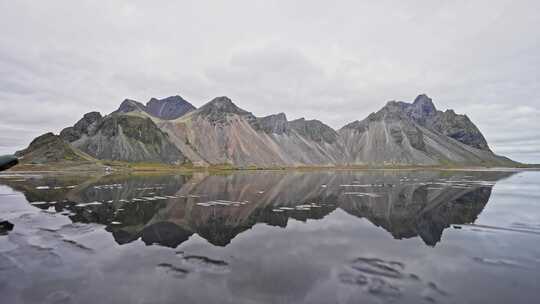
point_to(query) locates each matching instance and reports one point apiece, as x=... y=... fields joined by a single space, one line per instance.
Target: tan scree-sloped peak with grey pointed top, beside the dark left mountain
x=219 y=132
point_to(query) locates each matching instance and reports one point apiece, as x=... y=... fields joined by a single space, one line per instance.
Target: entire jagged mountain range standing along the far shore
x=173 y=131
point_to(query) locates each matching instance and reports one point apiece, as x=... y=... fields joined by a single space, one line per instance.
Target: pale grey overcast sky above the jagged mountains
x=336 y=61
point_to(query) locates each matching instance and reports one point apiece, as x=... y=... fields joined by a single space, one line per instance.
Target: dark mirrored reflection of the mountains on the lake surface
x=168 y=210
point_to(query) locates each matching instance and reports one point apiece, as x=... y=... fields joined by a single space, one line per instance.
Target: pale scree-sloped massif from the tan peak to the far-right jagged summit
x=399 y=134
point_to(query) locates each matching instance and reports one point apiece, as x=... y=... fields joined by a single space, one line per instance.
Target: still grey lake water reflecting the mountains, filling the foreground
x=272 y=237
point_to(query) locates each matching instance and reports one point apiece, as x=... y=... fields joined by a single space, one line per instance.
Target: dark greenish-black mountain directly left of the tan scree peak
x=122 y=137
